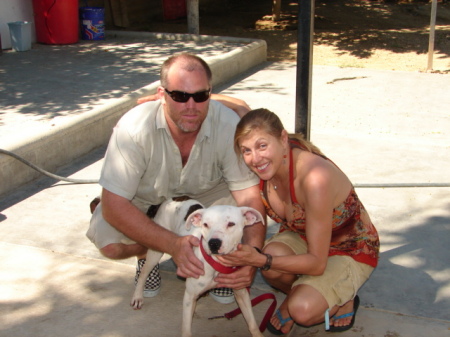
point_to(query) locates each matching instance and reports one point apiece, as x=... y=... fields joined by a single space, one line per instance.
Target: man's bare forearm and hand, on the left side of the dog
x=128 y=219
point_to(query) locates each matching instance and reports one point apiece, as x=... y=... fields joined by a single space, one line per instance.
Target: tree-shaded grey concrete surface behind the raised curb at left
x=51 y=80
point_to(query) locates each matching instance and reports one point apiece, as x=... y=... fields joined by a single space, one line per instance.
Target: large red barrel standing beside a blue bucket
x=56 y=21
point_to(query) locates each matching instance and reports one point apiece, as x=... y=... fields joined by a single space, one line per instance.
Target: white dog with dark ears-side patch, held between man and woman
x=220 y=229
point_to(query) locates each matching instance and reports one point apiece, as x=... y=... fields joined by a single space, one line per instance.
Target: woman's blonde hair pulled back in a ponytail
x=267 y=121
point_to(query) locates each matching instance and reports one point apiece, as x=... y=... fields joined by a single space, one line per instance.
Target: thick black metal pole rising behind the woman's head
x=304 y=67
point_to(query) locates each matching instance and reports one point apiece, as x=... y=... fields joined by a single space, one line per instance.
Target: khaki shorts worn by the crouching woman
x=341 y=279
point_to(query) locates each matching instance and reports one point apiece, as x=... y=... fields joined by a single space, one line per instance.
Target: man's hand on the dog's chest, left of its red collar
x=188 y=265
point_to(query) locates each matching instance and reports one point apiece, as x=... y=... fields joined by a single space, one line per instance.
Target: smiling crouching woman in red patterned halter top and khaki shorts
x=326 y=247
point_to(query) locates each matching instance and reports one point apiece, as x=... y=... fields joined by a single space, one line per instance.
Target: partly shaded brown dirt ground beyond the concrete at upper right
x=350 y=33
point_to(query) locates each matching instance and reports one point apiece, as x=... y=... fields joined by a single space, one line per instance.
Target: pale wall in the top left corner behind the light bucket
x=14 y=10
